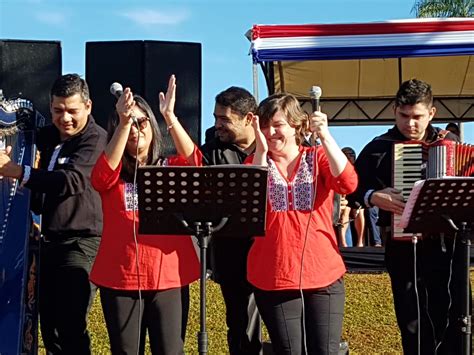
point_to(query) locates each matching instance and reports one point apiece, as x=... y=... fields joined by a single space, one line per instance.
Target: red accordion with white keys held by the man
x=414 y=161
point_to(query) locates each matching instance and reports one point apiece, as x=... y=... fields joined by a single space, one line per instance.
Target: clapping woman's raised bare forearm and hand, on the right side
x=182 y=141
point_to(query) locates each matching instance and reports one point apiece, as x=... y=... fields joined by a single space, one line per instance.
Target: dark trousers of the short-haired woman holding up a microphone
x=282 y=313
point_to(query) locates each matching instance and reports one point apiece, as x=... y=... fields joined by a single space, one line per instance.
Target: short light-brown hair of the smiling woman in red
x=291 y=108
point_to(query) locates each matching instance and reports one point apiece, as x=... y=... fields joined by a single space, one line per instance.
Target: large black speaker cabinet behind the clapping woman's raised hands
x=145 y=67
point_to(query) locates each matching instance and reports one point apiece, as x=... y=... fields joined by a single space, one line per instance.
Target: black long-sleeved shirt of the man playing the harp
x=70 y=206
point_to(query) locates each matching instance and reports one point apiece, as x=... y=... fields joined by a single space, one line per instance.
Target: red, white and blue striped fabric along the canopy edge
x=401 y=38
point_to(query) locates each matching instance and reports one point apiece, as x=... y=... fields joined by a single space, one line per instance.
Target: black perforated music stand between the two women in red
x=213 y=201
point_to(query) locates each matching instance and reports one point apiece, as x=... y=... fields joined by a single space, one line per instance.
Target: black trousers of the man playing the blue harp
x=65 y=294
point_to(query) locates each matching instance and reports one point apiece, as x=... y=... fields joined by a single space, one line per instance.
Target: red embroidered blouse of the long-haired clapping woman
x=164 y=261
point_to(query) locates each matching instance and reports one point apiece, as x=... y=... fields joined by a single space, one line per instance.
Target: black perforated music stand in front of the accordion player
x=446 y=205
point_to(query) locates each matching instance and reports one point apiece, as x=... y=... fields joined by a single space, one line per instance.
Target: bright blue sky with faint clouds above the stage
x=219 y=25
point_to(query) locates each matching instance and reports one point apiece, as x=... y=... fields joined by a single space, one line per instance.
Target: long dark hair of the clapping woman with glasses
x=155 y=151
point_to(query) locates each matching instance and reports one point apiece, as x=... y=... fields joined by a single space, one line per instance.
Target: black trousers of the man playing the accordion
x=440 y=307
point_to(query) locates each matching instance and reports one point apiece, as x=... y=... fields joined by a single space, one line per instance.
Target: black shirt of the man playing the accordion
x=374 y=166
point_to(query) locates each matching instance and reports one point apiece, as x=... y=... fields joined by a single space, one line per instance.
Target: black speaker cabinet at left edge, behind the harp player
x=28 y=69
